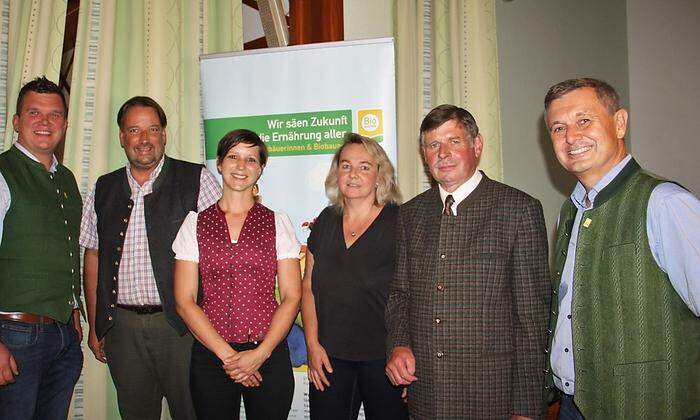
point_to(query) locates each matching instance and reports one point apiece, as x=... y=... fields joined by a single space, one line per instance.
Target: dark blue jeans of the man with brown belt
x=49 y=360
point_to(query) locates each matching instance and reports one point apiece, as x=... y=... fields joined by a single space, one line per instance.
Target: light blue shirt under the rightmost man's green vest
x=673 y=230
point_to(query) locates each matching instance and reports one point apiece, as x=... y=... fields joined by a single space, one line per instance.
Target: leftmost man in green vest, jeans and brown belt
x=40 y=334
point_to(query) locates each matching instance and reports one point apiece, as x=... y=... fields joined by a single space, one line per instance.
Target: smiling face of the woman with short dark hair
x=240 y=168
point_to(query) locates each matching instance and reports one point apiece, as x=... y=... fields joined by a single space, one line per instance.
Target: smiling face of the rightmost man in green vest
x=588 y=139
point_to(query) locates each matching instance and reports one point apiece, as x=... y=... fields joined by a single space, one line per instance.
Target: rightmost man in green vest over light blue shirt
x=625 y=332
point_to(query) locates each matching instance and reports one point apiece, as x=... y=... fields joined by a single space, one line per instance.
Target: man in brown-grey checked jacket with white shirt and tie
x=469 y=303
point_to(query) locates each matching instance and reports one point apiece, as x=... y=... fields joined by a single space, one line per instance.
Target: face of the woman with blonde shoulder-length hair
x=357 y=173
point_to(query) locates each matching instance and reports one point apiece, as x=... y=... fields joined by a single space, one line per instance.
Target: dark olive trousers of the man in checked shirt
x=149 y=360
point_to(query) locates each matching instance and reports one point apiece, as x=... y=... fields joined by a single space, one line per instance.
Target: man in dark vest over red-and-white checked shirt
x=130 y=220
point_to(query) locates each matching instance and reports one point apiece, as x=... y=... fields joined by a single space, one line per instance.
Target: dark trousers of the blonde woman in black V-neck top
x=355 y=383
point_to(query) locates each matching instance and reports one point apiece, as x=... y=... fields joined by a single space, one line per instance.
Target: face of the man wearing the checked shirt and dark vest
x=143 y=138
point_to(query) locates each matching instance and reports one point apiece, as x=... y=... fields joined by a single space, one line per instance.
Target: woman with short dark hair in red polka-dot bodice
x=235 y=249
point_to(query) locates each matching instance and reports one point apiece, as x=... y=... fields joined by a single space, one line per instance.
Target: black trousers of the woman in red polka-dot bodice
x=217 y=396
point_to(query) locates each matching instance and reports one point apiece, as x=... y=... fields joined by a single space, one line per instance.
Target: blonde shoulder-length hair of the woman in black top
x=387 y=189
